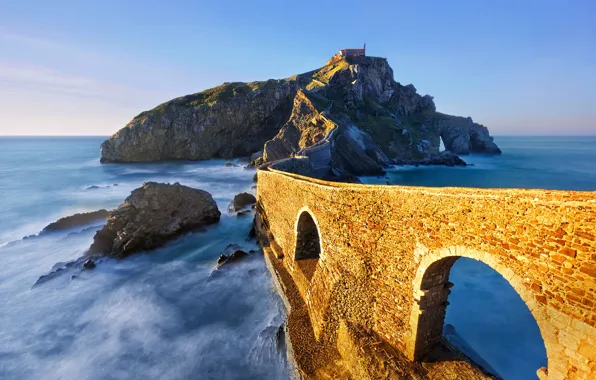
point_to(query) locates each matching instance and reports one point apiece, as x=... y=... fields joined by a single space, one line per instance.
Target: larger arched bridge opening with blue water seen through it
x=486 y=317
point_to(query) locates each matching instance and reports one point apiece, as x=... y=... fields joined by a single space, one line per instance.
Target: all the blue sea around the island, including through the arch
x=166 y=315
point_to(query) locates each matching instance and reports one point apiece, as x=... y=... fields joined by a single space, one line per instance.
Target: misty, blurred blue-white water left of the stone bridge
x=151 y=316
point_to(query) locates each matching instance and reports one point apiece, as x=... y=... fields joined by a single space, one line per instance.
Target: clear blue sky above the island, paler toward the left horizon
x=88 y=67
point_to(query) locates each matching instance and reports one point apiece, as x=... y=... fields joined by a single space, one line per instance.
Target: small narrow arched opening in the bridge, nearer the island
x=308 y=244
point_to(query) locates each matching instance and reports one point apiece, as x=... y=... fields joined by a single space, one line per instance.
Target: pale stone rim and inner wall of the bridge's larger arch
x=432 y=288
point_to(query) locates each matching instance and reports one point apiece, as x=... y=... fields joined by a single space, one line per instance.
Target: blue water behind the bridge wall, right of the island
x=558 y=163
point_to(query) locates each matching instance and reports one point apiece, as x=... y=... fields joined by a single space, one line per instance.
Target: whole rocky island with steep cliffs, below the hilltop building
x=351 y=111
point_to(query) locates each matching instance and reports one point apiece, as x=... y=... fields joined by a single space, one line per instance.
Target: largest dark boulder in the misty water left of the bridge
x=153 y=214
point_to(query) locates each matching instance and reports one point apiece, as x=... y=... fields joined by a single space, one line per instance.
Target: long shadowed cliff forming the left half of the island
x=234 y=119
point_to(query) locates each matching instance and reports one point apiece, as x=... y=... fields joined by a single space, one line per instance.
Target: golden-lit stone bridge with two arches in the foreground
x=380 y=256
